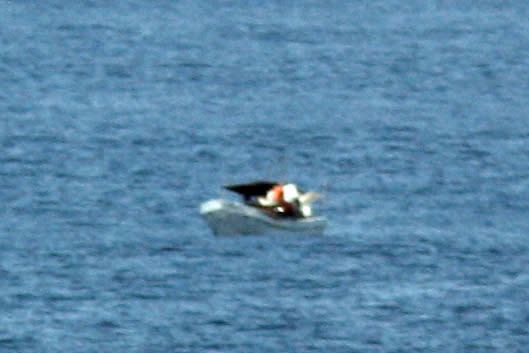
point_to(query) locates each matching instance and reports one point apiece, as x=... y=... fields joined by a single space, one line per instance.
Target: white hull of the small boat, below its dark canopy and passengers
x=226 y=217
